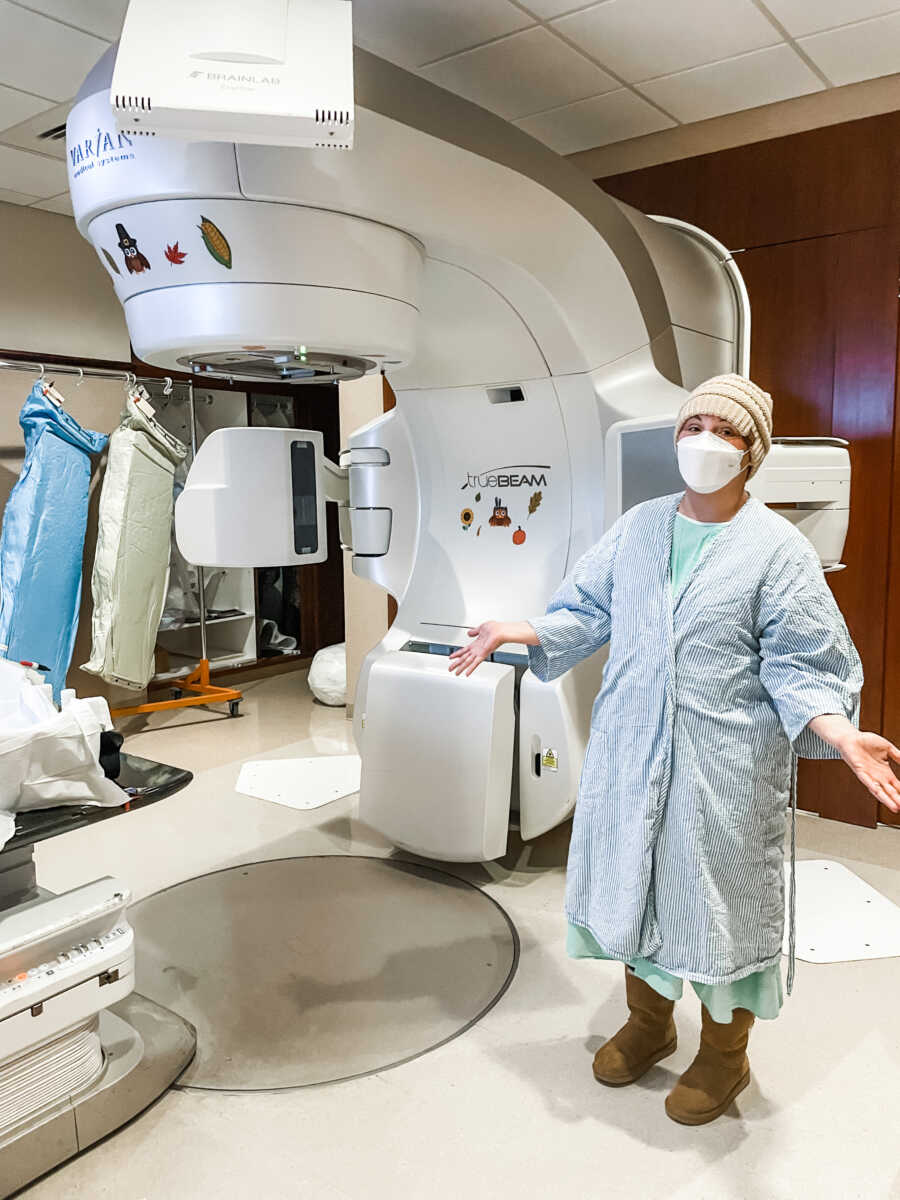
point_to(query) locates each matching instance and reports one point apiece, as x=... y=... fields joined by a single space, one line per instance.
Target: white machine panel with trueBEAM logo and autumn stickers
x=495 y=507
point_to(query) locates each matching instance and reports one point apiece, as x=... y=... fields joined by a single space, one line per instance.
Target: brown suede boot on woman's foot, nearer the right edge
x=719 y=1073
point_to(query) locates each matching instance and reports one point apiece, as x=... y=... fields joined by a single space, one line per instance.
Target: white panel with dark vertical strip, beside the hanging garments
x=255 y=497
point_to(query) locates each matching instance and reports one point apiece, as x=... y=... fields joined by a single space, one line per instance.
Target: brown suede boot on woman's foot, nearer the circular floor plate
x=649 y=1036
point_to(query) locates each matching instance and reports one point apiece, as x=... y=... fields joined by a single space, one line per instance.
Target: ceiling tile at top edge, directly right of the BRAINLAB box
x=413 y=34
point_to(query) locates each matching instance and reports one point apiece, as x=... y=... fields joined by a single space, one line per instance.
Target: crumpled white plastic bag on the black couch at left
x=49 y=758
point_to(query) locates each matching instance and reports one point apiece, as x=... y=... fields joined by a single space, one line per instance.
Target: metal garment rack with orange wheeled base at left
x=195 y=691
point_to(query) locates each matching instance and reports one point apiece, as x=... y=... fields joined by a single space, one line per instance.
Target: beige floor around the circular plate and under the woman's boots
x=511 y=1108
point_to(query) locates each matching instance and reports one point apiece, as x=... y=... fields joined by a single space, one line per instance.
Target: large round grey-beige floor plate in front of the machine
x=304 y=971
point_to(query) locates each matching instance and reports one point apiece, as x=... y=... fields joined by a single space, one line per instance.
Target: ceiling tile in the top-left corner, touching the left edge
x=43 y=57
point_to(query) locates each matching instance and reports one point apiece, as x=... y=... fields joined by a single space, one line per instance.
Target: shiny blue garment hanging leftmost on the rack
x=43 y=539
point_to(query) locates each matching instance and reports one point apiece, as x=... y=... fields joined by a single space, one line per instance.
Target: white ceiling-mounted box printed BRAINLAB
x=274 y=73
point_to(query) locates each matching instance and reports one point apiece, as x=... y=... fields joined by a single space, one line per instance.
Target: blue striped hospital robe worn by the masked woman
x=677 y=849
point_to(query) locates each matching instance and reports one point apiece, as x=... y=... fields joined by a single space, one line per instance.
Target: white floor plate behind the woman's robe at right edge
x=841 y=919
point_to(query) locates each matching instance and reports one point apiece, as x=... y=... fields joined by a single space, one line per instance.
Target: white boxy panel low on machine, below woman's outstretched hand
x=439 y=765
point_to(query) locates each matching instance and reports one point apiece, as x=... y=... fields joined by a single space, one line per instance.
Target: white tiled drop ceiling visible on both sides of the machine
x=574 y=75
